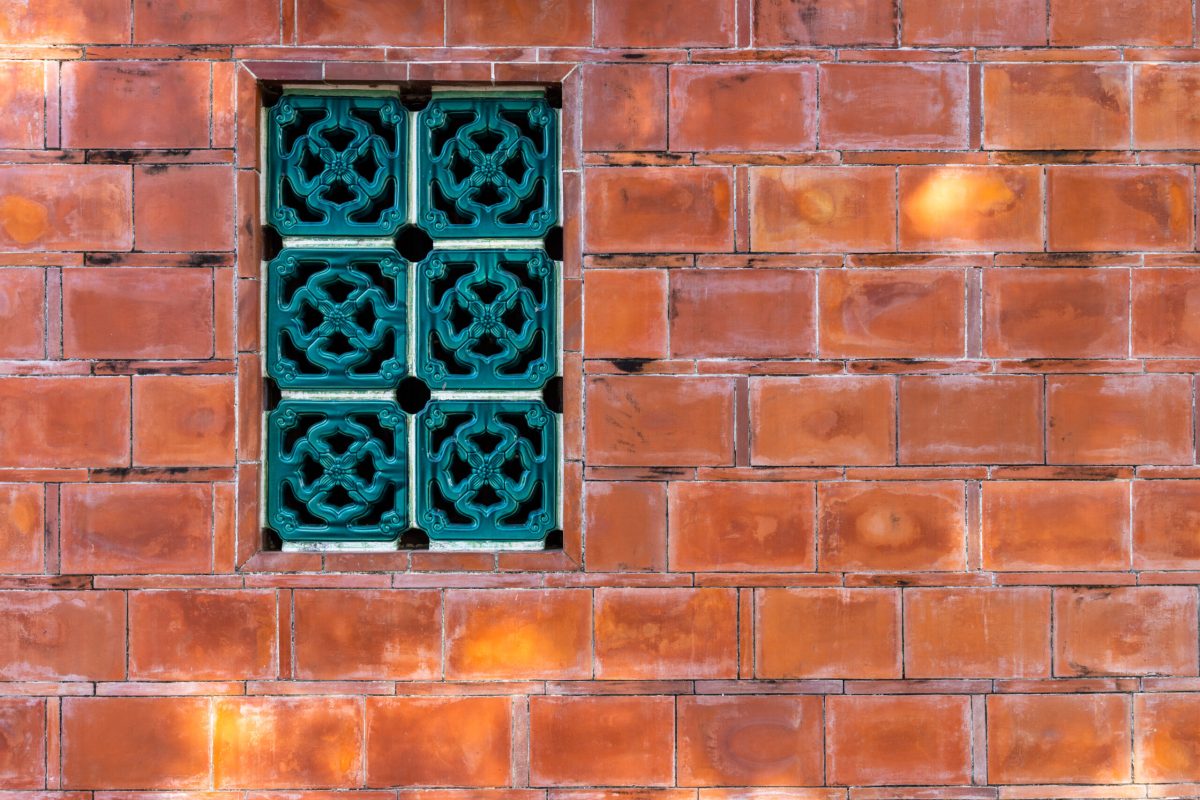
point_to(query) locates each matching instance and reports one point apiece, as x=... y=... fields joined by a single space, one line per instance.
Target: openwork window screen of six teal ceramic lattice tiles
x=417 y=395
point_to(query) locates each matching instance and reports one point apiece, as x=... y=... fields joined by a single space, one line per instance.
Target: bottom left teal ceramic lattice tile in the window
x=338 y=471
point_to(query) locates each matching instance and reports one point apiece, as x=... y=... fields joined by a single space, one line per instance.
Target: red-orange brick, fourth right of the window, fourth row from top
x=1066 y=314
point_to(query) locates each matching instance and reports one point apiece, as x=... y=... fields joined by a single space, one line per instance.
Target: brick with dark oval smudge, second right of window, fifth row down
x=823 y=420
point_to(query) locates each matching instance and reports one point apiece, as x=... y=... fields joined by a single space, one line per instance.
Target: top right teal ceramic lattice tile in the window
x=488 y=167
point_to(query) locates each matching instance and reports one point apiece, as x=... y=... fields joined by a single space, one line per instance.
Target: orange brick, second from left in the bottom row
x=136 y=743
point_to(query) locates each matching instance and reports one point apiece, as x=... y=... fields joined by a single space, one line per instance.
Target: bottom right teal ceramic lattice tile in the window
x=487 y=471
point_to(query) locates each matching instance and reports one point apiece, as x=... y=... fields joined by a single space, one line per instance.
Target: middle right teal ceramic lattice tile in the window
x=487 y=320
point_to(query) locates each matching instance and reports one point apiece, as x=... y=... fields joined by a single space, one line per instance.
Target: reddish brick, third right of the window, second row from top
x=893 y=106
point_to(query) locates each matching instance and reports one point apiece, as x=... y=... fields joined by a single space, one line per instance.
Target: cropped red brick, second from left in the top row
x=207 y=22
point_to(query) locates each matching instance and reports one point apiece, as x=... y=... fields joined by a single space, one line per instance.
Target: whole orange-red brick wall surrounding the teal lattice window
x=884 y=332
